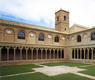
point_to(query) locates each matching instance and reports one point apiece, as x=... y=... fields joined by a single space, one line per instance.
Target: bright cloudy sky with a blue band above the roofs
x=42 y=12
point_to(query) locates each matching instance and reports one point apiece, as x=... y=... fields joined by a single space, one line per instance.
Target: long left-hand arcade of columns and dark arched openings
x=30 y=53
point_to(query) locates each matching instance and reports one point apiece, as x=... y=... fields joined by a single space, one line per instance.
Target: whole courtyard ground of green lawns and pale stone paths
x=48 y=71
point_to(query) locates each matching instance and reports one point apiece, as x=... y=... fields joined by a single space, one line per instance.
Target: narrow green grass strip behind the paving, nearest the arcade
x=65 y=63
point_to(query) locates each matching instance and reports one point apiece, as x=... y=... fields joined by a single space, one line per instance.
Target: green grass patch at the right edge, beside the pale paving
x=90 y=70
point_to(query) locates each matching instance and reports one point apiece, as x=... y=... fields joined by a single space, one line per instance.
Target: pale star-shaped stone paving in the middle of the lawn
x=56 y=70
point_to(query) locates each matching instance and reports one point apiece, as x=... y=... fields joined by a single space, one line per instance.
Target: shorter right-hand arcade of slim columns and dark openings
x=83 y=53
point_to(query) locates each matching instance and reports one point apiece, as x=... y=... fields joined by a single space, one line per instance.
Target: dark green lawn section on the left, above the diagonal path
x=6 y=70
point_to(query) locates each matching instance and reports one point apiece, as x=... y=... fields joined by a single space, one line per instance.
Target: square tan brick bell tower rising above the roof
x=62 y=21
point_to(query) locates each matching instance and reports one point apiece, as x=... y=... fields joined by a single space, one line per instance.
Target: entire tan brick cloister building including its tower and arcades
x=25 y=44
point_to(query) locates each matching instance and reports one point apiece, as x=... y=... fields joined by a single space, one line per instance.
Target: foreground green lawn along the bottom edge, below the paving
x=40 y=76
